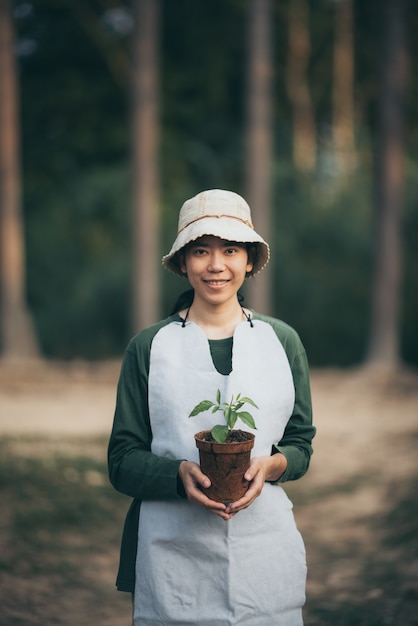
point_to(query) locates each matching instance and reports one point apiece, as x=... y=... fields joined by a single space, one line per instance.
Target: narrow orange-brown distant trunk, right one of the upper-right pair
x=343 y=88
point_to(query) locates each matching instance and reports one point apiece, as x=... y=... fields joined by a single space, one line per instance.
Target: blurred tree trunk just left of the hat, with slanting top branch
x=139 y=74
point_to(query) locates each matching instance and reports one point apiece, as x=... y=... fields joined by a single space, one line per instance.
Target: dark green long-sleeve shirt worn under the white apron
x=135 y=471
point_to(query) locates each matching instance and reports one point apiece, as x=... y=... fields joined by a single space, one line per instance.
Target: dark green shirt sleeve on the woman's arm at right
x=296 y=443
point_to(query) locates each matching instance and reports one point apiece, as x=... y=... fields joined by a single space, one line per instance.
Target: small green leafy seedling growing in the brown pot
x=231 y=412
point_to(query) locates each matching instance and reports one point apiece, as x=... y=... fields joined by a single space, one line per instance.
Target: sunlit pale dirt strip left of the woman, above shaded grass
x=53 y=399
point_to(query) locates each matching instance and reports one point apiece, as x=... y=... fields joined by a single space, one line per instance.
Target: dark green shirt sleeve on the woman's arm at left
x=133 y=469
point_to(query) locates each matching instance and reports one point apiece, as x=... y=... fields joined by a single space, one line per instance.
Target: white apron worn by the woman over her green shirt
x=193 y=568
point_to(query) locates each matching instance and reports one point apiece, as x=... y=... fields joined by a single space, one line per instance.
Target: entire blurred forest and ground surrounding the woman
x=112 y=114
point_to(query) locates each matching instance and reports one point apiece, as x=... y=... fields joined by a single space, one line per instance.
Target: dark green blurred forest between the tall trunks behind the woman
x=75 y=118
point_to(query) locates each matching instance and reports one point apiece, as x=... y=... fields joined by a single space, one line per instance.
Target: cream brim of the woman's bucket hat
x=225 y=228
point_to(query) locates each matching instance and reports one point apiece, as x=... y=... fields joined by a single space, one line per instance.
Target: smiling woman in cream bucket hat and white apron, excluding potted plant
x=186 y=558
